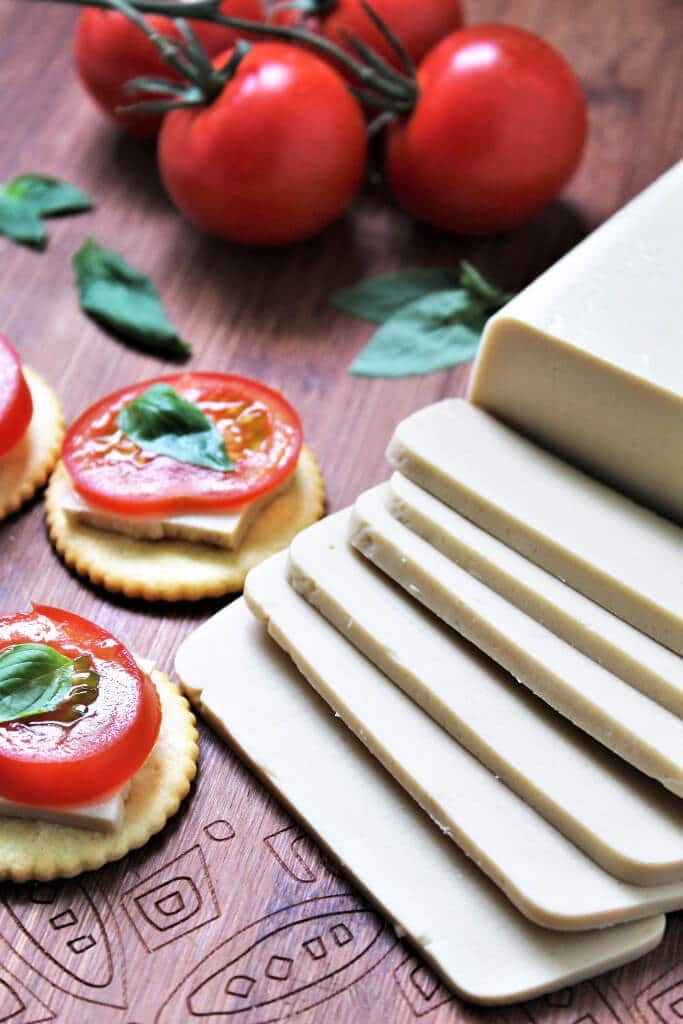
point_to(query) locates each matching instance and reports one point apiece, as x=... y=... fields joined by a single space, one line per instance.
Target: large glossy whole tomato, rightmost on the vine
x=498 y=130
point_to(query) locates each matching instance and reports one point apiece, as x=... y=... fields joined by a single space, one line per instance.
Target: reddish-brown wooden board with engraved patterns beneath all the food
x=166 y=935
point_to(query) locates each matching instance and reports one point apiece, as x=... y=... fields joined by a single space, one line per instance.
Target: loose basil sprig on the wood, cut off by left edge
x=29 y=198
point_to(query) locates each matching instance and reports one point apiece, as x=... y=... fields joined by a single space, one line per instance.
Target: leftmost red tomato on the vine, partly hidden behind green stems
x=110 y=51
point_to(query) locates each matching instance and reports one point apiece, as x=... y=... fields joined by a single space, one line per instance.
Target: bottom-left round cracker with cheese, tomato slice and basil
x=98 y=749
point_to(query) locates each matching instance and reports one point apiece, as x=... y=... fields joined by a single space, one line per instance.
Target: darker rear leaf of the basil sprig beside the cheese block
x=378 y=298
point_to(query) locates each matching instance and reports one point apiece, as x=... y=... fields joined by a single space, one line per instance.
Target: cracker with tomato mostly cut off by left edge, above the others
x=31 y=431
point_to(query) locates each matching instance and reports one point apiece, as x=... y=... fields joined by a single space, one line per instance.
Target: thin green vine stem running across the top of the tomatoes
x=381 y=86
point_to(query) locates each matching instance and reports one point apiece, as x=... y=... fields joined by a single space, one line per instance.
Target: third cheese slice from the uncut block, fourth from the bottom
x=638 y=730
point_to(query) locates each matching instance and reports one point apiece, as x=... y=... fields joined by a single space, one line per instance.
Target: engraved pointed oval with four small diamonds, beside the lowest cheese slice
x=286 y=963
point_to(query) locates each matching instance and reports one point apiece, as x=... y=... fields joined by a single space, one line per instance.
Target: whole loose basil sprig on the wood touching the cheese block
x=431 y=320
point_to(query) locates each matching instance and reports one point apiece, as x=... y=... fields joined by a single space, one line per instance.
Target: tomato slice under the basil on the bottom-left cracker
x=54 y=760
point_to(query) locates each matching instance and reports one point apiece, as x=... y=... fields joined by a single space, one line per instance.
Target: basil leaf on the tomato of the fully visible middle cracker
x=163 y=421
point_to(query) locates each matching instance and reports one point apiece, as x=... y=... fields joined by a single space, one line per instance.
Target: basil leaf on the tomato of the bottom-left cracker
x=36 y=679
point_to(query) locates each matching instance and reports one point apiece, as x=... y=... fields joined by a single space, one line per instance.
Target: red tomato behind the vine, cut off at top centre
x=418 y=25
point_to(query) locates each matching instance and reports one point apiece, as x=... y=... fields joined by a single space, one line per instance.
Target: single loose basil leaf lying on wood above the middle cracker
x=124 y=301
